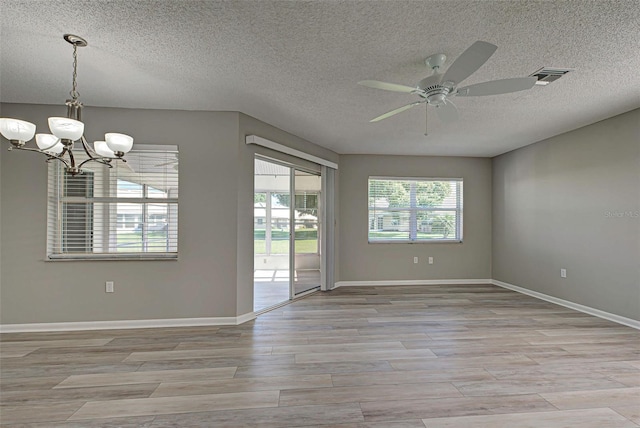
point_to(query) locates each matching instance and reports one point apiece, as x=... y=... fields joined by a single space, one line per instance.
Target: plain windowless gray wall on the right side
x=573 y=202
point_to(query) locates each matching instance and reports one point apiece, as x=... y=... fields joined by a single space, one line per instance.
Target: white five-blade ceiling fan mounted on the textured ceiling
x=437 y=89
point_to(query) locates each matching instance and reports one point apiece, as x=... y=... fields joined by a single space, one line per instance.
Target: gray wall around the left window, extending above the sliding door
x=211 y=278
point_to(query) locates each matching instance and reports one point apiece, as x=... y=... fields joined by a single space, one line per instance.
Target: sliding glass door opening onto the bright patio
x=286 y=232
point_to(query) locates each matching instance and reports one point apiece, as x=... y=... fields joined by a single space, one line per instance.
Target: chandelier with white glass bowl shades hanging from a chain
x=65 y=131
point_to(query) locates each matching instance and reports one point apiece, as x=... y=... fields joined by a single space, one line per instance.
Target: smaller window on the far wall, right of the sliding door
x=415 y=209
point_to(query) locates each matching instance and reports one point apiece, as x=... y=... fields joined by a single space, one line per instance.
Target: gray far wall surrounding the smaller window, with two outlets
x=363 y=261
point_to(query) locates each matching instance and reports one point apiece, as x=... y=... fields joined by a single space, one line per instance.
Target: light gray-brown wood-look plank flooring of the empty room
x=378 y=357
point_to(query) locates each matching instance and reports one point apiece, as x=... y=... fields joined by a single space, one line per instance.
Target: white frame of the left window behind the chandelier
x=106 y=232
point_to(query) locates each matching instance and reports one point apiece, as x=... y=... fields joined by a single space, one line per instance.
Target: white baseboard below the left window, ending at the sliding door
x=125 y=324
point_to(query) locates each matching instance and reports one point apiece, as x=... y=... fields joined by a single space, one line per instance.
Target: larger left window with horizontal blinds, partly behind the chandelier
x=128 y=211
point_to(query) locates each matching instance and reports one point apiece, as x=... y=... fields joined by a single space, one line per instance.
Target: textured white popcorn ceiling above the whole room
x=295 y=64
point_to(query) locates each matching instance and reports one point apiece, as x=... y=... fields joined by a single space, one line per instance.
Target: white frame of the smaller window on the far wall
x=374 y=217
